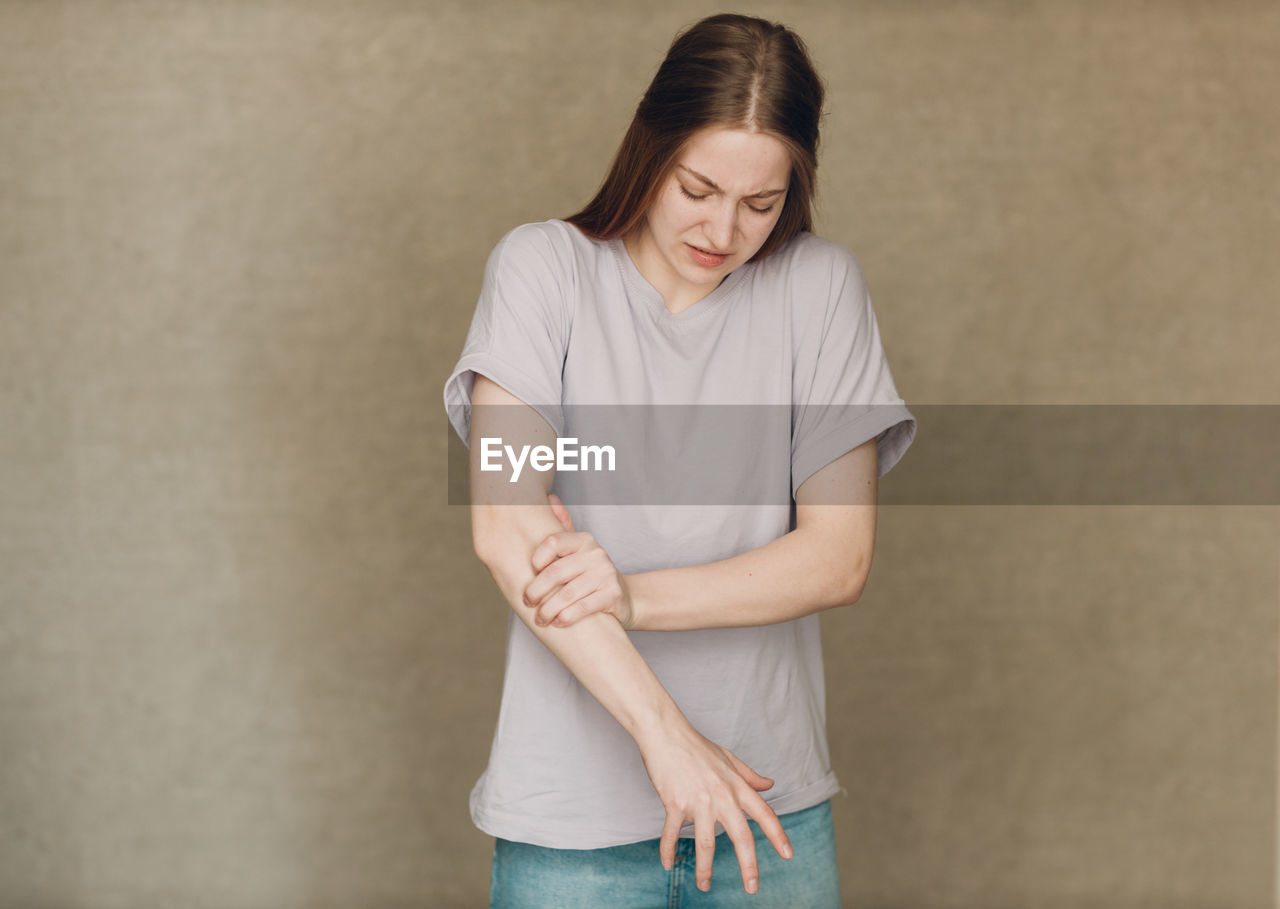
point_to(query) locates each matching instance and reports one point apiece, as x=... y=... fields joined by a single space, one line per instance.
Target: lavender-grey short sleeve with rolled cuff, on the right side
x=843 y=390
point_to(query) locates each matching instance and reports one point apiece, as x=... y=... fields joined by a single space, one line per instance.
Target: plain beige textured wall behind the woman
x=246 y=657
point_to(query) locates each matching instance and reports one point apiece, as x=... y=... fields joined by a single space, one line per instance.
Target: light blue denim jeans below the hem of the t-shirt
x=633 y=878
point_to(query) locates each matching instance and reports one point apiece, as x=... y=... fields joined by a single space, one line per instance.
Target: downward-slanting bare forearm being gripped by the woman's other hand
x=597 y=650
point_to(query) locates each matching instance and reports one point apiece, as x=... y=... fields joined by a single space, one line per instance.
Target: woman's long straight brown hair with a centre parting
x=728 y=71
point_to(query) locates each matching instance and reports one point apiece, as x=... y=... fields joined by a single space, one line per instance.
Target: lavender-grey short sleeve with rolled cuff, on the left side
x=520 y=330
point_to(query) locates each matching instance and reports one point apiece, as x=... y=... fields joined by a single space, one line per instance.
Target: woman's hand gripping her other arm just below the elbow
x=575 y=577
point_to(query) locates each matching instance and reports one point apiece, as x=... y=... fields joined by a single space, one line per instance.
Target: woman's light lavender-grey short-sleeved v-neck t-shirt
x=566 y=321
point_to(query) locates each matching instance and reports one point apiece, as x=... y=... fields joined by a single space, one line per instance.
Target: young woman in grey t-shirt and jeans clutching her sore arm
x=662 y=659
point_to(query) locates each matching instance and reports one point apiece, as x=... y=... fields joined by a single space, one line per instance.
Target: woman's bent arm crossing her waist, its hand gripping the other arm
x=820 y=565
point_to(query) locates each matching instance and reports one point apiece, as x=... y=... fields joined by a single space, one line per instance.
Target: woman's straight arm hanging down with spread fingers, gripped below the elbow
x=697 y=779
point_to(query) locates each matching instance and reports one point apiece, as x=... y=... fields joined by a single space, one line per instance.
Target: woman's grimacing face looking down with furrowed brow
x=714 y=213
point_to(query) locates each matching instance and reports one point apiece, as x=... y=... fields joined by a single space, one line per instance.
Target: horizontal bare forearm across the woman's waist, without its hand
x=796 y=575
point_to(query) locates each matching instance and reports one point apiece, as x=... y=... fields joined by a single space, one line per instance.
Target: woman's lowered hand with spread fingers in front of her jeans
x=703 y=783
